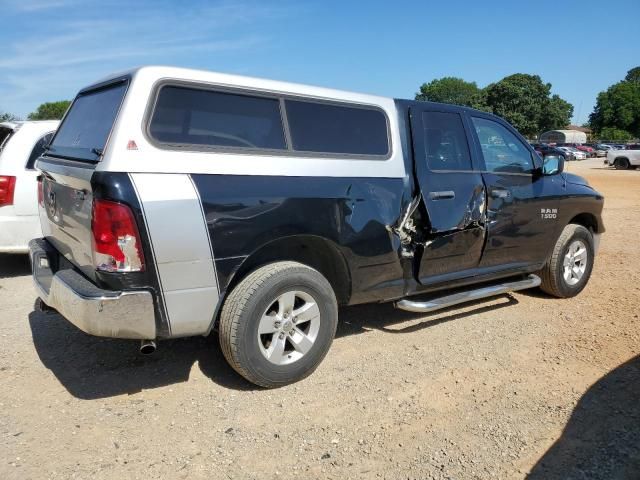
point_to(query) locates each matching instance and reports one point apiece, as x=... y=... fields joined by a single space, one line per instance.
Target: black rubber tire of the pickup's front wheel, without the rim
x=553 y=281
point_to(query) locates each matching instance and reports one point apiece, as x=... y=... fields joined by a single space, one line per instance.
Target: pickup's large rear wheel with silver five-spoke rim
x=278 y=323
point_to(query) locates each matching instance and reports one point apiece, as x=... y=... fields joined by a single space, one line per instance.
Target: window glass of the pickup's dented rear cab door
x=445 y=141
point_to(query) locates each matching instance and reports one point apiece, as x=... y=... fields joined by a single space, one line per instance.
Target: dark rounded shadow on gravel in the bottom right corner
x=602 y=438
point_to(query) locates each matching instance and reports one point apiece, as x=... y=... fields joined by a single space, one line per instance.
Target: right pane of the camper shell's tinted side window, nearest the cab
x=337 y=129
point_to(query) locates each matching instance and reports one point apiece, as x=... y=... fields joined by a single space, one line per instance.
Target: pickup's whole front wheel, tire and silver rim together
x=569 y=268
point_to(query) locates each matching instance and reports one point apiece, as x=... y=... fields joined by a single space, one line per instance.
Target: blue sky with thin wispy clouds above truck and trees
x=52 y=48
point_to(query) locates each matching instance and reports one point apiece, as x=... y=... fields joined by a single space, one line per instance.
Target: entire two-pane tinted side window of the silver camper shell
x=191 y=117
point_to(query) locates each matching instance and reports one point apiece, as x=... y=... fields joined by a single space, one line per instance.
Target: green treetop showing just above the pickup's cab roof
x=453 y=90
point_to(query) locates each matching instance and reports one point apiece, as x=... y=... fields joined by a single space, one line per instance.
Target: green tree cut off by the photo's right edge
x=618 y=107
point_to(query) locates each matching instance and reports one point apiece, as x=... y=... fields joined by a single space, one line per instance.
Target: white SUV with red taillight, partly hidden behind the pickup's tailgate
x=21 y=143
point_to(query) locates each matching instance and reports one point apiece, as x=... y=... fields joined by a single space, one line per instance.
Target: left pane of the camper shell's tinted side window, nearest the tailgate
x=190 y=116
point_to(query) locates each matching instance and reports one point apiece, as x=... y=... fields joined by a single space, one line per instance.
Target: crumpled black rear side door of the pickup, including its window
x=453 y=192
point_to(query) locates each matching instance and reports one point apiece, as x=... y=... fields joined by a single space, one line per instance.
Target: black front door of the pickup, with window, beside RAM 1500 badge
x=517 y=234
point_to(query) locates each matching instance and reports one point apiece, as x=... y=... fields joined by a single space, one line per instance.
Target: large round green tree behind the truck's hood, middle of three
x=525 y=102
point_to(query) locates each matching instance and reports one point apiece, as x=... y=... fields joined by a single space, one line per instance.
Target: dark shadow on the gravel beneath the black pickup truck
x=91 y=367
